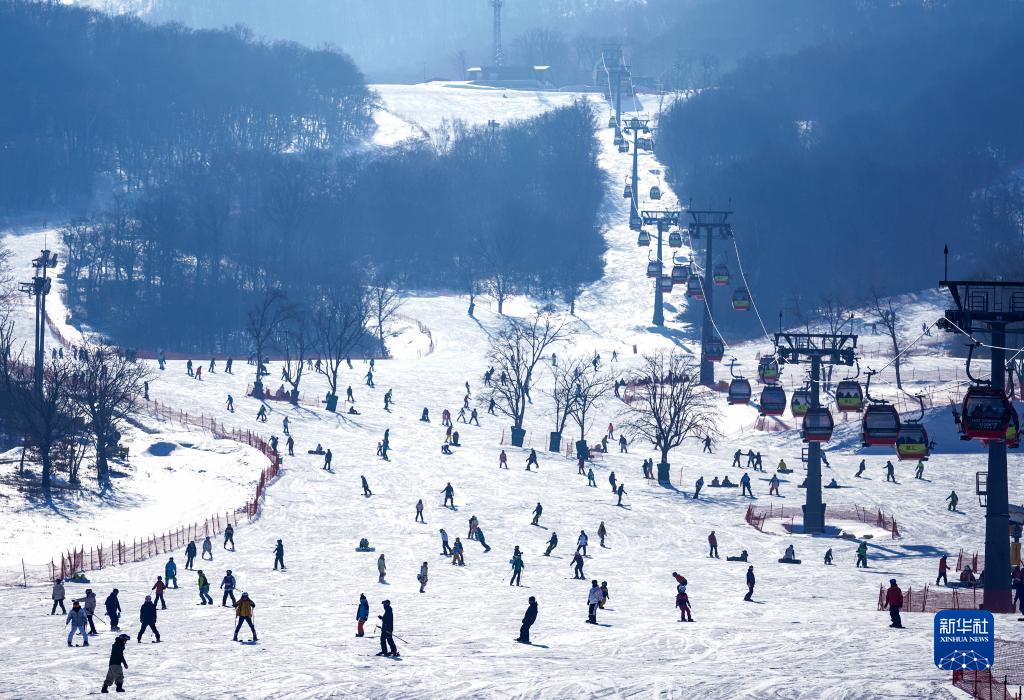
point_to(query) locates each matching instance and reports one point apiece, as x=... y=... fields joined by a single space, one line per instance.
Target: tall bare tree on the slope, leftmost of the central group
x=515 y=354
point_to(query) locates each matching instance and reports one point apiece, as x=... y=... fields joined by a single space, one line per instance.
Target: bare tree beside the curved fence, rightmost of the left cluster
x=107 y=386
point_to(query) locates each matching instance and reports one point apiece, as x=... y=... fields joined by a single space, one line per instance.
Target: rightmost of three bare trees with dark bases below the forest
x=340 y=326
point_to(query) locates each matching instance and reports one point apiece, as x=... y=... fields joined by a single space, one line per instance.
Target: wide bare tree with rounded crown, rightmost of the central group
x=670 y=405
